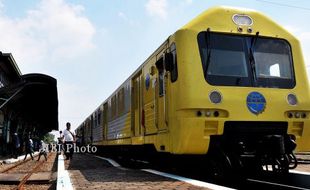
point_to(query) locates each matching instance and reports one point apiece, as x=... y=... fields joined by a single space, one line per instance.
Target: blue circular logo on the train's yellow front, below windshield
x=256 y=102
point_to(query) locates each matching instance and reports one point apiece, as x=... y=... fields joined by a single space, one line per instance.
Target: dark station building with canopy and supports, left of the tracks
x=28 y=104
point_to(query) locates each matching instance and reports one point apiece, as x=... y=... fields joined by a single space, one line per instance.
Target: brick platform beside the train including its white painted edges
x=92 y=172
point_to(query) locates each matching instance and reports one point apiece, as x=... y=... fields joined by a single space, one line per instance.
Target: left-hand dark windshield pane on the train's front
x=224 y=59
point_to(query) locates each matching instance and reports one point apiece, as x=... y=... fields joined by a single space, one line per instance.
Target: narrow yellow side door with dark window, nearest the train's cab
x=161 y=96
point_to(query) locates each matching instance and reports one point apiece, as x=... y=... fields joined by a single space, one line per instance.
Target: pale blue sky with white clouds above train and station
x=92 y=46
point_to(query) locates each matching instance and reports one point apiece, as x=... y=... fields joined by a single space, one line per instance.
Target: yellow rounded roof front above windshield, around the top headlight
x=220 y=19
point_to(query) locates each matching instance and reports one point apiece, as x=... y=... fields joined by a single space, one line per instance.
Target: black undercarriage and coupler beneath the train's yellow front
x=252 y=147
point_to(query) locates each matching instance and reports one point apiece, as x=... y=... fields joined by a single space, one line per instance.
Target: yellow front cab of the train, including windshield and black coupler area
x=243 y=96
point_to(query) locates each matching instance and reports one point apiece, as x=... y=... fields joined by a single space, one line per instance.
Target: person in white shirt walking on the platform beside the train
x=69 y=138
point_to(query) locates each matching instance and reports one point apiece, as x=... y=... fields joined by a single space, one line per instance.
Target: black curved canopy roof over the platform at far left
x=29 y=99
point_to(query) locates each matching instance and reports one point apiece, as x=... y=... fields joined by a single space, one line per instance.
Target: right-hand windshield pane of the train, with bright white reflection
x=273 y=63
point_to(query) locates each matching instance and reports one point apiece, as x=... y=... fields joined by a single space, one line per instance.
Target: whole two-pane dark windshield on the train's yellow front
x=231 y=60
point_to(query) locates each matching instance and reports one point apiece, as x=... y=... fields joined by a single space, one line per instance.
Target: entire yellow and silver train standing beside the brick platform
x=231 y=84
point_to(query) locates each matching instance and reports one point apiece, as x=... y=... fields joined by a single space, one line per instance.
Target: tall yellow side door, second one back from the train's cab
x=136 y=102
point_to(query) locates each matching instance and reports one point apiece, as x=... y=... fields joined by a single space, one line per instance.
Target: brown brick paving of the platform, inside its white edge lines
x=88 y=172
